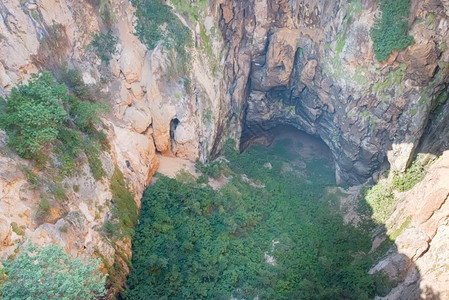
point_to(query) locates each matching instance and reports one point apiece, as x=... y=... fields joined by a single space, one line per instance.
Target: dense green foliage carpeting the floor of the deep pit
x=196 y=243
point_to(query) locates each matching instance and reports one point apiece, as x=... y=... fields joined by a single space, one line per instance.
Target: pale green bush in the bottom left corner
x=50 y=273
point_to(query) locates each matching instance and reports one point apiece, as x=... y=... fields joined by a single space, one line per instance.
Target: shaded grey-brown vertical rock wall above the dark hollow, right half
x=310 y=64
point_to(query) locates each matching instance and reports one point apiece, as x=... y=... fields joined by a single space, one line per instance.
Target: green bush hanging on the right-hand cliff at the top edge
x=390 y=32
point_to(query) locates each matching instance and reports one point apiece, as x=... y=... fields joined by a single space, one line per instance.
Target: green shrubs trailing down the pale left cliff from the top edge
x=156 y=23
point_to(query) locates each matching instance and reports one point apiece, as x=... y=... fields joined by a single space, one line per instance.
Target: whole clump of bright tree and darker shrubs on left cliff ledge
x=43 y=115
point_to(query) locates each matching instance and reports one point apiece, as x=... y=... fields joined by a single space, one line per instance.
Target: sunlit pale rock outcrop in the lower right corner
x=419 y=260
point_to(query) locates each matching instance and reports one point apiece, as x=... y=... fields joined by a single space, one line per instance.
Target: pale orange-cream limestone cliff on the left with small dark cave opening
x=151 y=112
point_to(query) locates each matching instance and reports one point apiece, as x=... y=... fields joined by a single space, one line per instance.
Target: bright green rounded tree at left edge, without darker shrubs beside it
x=33 y=115
